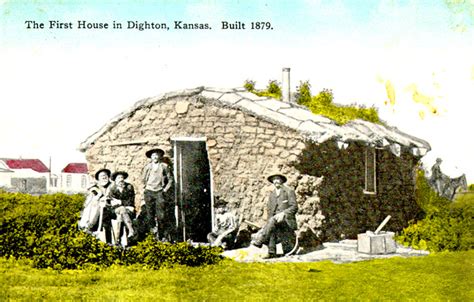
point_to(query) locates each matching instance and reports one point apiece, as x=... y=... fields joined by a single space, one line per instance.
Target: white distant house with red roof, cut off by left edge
x=26 y=175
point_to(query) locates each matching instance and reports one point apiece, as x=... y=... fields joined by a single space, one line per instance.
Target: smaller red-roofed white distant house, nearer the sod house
x=74 y=178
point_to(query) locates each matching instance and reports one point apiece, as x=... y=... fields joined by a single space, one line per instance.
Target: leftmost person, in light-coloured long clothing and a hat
x=95 y=207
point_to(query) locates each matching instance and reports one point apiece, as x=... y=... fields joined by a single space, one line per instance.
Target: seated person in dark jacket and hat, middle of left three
x=122 y=194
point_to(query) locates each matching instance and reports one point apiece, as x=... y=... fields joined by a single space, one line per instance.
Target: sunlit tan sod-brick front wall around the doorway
x=243 y=150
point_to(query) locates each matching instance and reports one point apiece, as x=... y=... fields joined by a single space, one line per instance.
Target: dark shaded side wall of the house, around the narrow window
x=348 y=210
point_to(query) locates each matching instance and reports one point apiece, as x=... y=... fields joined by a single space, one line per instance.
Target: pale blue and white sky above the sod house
x=413 y=60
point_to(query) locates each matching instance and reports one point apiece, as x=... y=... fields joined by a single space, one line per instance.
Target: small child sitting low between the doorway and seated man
x=226 y=226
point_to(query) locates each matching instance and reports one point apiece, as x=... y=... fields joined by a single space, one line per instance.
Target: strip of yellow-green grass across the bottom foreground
x=439 y=277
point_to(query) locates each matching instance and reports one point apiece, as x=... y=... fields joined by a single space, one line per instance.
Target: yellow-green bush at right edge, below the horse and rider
x=447 y=226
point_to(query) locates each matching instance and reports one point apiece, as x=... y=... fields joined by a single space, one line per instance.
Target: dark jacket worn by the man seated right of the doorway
x=285 y=202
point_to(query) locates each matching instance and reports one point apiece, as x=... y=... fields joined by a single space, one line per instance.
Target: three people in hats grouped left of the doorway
x=109 y=209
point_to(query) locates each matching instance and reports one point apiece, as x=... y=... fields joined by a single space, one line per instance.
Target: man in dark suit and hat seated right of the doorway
x=281 y=222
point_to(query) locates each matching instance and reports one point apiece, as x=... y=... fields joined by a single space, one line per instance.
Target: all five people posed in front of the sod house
x=109 y=209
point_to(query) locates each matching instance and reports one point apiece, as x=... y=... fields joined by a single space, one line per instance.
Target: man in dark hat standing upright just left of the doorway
x=157 y=180
